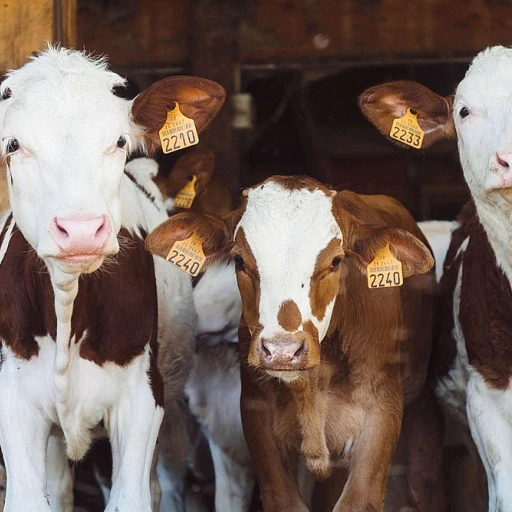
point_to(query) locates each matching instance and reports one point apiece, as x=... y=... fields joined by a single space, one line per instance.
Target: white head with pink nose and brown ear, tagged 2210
x=66 y=135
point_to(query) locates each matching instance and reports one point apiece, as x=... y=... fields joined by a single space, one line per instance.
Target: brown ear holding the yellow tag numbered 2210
x=198 y=98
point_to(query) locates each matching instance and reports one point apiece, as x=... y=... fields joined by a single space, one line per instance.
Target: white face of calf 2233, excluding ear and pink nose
x=486 y=91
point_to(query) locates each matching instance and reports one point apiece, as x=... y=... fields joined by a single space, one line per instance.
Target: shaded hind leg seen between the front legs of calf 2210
x=59 y=476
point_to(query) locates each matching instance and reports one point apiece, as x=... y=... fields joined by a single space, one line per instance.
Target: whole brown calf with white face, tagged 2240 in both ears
x=327 y=363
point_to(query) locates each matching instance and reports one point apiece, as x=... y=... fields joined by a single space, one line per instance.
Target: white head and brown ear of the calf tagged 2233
x=478 y=114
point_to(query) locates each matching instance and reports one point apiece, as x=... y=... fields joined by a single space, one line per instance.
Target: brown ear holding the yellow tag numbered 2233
x=384 y=103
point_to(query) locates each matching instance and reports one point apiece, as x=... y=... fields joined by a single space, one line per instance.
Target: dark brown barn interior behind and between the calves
x=293 y=70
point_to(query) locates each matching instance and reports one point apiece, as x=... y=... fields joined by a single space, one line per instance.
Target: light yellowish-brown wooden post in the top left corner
x=26 y=27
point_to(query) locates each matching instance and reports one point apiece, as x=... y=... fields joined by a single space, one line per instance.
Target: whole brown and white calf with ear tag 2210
x=94 y=331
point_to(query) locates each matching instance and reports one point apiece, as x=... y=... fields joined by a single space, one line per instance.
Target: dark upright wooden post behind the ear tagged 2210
x=214 y=54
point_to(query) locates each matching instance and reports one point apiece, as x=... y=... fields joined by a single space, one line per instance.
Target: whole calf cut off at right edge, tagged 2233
x=474 y=353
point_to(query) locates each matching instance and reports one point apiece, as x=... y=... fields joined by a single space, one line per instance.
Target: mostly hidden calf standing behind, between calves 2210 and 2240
x=213 y=386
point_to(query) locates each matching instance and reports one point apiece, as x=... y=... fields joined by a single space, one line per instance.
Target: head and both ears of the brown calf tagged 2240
x=290 y=240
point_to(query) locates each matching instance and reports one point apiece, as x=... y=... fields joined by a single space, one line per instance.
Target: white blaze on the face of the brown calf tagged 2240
x=286 y=230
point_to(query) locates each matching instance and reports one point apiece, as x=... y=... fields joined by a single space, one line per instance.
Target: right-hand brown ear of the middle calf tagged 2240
x=416 y=258
